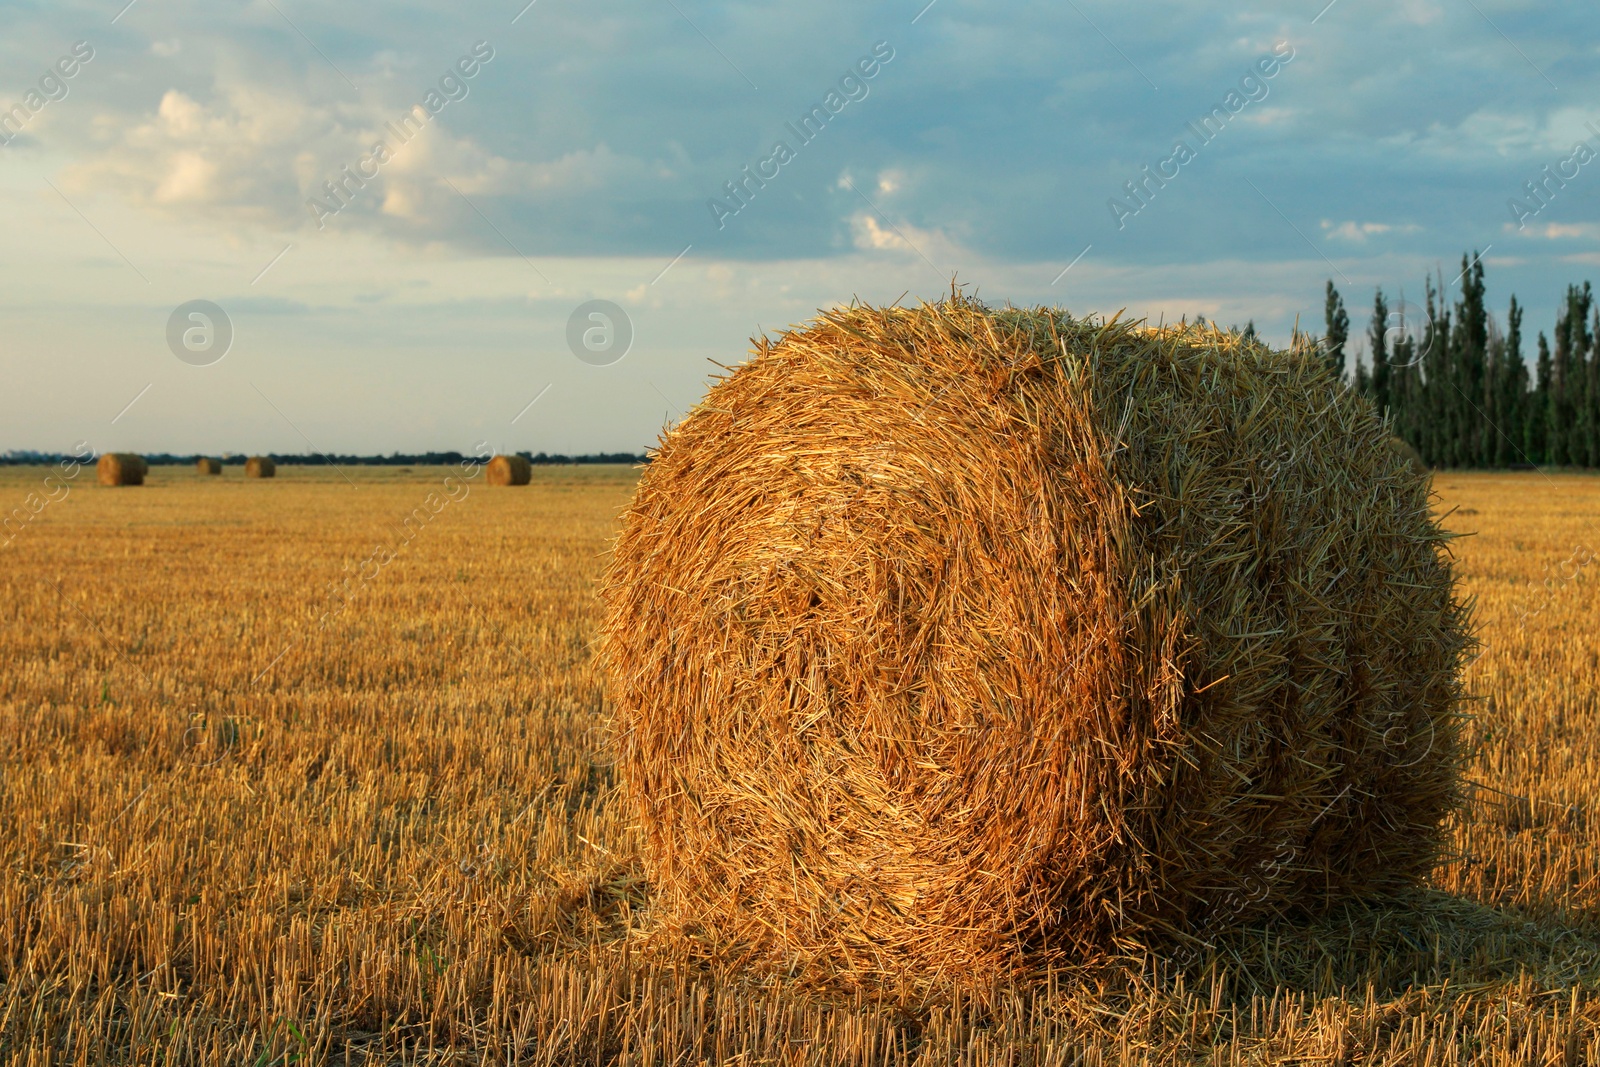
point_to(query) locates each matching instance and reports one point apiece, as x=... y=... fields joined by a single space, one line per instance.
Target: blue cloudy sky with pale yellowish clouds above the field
x=402 y=217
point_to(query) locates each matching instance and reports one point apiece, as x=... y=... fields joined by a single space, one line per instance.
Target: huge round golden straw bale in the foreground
x=945 y=641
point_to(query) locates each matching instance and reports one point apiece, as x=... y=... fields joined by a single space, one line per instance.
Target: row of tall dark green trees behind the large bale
x=1457 y=385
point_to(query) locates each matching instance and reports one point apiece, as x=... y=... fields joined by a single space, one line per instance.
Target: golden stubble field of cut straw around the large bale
x=265 y=799
